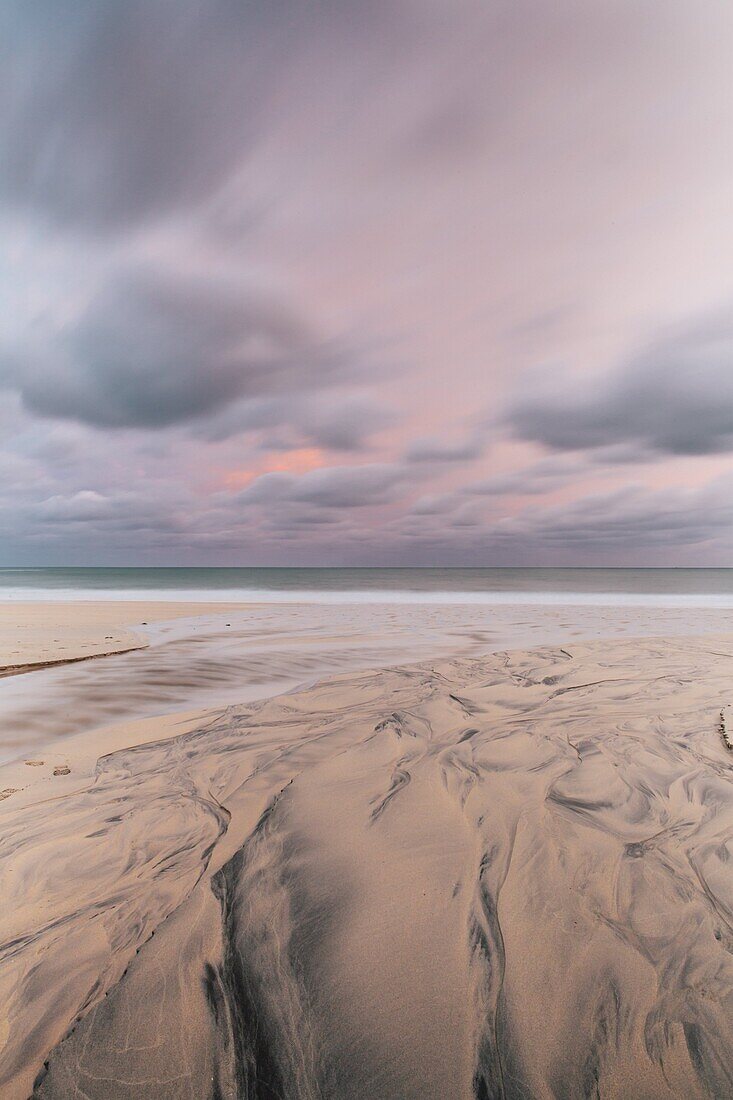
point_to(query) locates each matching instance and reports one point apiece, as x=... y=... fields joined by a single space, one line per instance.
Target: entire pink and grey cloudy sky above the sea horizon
x=367 y=283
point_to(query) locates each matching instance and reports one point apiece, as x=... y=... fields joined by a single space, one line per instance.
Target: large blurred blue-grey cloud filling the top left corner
x=125 y=112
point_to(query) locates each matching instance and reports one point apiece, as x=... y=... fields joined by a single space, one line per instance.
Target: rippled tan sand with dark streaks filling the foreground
x=506 y=876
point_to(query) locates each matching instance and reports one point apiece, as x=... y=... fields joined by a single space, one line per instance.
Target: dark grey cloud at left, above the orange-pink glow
x=150 y=353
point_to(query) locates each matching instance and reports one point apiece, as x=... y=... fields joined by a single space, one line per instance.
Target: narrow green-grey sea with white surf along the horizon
x=653 y=588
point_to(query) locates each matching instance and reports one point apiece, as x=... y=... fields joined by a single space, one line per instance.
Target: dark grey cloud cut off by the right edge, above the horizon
x=674 y=399
